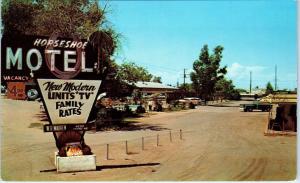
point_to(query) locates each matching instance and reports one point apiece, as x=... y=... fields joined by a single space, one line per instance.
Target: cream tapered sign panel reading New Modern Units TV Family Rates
x=68 y=101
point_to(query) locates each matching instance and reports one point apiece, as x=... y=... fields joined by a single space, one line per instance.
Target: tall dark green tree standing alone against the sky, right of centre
x=207 y=72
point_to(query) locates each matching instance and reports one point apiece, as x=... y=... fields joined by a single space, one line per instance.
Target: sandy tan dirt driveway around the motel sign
x=219 y=143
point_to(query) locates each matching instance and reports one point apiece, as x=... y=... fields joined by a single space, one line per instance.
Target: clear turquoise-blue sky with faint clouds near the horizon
x=166 y=37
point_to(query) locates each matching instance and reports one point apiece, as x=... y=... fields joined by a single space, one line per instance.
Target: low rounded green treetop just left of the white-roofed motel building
x=131 y=72
